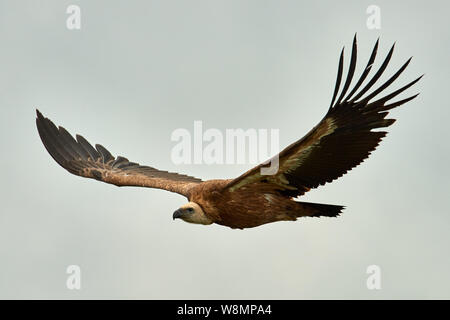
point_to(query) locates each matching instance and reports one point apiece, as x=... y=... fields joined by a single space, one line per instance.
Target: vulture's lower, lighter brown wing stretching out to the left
x=80 y=158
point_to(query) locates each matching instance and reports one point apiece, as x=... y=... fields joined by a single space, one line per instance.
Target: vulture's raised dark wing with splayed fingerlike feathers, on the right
x=342 y=140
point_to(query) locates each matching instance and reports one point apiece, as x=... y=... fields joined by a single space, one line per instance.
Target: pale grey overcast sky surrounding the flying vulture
x=137 y=70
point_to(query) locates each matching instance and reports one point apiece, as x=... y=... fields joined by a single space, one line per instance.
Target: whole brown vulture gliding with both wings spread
x=339 y=142
